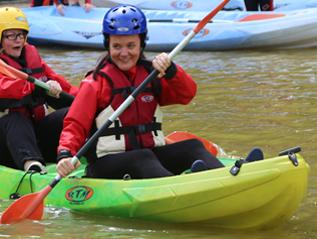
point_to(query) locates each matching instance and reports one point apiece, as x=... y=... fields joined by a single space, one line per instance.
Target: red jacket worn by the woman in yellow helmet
x=14 y=91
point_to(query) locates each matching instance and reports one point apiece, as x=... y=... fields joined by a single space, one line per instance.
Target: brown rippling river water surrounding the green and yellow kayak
x=245 y=99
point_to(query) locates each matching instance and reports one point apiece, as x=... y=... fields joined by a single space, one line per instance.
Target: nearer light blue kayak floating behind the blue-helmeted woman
x=230 y=30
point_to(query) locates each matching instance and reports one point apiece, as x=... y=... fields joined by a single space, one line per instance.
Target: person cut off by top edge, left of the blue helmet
x=61 y=3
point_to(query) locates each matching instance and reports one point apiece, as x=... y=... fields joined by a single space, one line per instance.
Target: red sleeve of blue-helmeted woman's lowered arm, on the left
x=92 y=96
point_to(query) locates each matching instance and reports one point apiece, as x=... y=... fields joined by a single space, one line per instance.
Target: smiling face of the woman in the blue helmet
x=125 y=50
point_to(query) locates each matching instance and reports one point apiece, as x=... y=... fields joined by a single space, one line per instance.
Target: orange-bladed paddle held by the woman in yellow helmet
x=17 y=74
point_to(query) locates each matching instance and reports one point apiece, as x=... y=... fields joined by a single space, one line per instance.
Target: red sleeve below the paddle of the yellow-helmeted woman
x=14 y=88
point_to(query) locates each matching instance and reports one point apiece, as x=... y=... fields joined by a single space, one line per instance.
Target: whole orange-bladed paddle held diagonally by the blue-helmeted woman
x=26 y=206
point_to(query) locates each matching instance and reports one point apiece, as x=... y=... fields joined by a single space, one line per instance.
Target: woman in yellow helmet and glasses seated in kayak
x=28 y=134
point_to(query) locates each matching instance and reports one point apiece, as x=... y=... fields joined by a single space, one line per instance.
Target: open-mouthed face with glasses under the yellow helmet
x=12 y=42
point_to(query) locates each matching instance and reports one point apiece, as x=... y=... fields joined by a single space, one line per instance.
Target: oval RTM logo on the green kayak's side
x=79 y=194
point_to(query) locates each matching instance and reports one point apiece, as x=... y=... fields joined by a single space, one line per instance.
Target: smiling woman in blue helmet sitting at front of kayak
x=134 y=145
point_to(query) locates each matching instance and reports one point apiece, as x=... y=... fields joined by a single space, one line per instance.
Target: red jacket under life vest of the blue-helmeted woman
x=96 y=95
